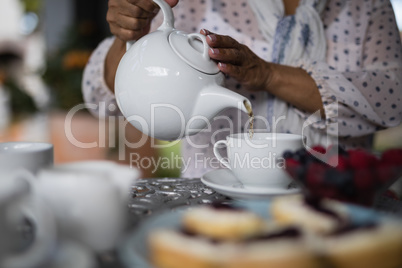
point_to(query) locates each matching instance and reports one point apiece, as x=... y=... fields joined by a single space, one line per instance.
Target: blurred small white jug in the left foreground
x=89 y=200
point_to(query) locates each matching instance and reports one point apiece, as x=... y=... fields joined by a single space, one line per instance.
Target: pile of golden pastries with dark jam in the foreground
x=298 y=236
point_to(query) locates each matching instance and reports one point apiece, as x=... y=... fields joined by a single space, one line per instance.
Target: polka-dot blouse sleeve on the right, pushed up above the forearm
x=365 y=98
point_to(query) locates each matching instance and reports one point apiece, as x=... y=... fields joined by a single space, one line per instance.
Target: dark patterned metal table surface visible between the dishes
x=151 y=195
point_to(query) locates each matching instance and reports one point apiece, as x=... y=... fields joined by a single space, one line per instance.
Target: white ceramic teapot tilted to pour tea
x=167 y=86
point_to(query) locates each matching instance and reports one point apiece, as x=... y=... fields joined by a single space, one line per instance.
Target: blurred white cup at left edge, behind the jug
x=31 y=156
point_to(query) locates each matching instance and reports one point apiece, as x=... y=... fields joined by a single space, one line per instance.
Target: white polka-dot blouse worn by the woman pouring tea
x=359 y=82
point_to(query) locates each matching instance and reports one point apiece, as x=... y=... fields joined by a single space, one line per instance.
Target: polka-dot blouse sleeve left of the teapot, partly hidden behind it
x=99 y=100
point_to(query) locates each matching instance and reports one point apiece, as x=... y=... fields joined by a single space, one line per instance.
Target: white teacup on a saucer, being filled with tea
x=258 y=162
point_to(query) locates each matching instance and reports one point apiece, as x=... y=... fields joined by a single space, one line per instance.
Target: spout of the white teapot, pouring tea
x=214 y=99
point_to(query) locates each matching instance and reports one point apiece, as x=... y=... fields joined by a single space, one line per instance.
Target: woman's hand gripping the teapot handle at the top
x=131 y=19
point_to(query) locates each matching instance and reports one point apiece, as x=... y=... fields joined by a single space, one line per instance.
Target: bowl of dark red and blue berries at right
x=354 y=176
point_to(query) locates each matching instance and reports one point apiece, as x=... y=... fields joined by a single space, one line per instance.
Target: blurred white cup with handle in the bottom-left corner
x=20 y=202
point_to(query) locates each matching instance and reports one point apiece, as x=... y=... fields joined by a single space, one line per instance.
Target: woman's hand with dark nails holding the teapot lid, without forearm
x=238 y=61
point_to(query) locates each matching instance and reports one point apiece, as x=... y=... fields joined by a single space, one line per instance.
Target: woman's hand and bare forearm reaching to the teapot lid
x=291 y=84
